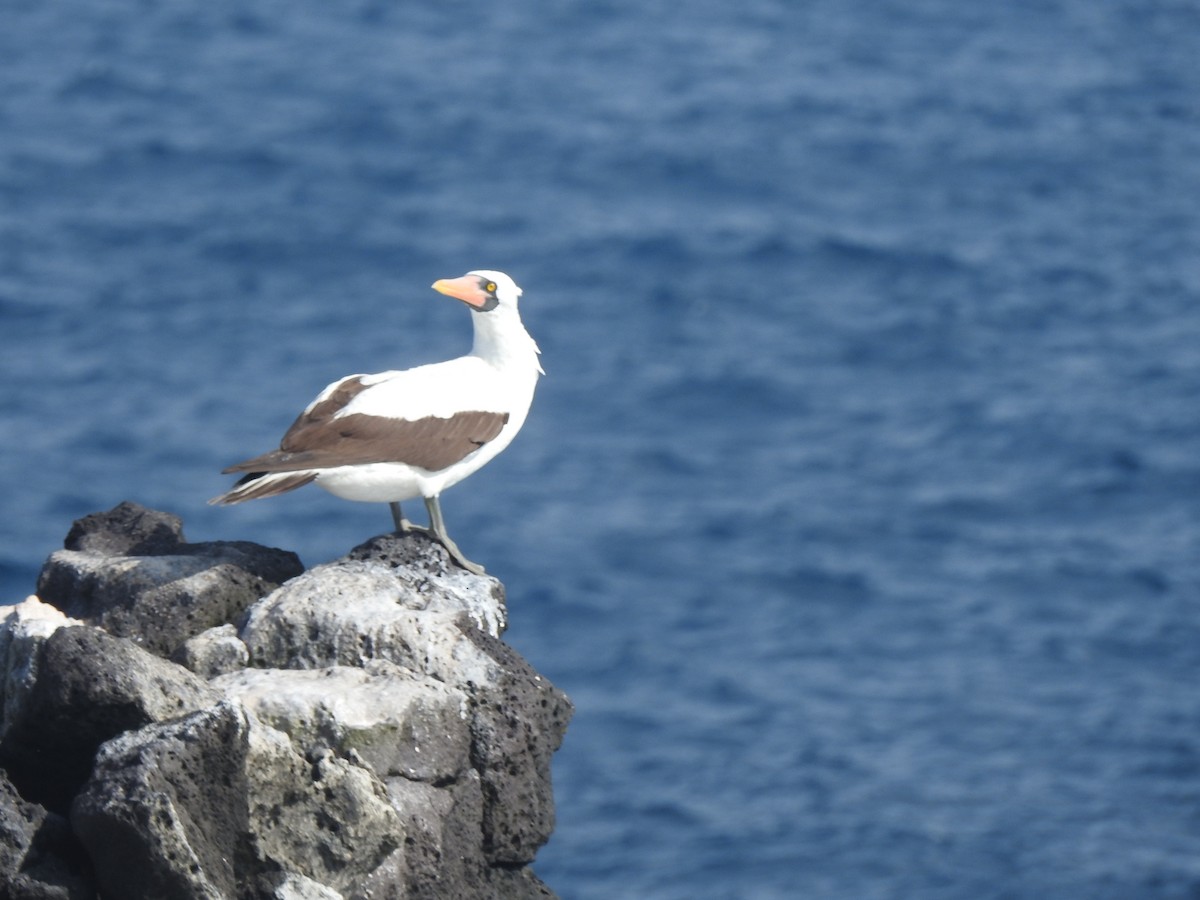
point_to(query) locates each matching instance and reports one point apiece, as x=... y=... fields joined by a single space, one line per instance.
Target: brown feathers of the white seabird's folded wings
x=319 y=441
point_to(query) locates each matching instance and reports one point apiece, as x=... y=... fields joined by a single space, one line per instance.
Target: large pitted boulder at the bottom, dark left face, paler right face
x=166 y=813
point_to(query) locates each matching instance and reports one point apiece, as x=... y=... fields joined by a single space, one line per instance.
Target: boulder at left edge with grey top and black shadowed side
x=86 y=688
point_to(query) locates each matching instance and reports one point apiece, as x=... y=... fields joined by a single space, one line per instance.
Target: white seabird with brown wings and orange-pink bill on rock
x=400 y=435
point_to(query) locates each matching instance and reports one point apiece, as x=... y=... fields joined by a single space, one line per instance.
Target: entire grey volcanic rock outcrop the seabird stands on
x=209 y=722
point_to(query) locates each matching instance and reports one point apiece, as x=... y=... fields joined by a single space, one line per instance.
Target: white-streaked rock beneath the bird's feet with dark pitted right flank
x=376 y=620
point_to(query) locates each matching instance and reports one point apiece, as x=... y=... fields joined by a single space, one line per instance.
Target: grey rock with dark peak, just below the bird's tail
x=130 y=572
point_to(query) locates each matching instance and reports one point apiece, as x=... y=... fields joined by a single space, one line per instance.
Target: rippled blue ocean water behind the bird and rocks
x=859 y=509
